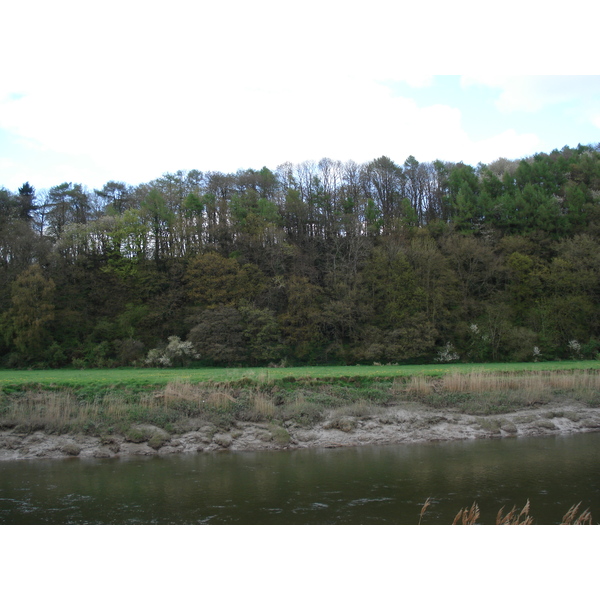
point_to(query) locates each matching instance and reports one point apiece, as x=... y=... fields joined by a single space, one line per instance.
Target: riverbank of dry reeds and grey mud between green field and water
x=182 y=417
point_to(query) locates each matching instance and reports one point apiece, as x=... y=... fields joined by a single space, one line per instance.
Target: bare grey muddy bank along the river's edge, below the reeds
x=403 y=424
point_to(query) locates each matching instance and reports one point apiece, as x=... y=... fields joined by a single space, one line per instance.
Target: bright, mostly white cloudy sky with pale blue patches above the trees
x=126 y=91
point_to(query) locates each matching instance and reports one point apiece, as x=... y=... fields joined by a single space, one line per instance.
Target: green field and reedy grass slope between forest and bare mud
x=103 y=402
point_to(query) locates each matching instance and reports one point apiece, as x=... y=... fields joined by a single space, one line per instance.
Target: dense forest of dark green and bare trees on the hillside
x=326 y=262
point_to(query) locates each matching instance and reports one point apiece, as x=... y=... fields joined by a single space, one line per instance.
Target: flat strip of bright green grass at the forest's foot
x=153 y=377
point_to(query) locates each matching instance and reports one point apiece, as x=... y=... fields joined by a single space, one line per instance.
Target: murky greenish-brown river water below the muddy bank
x=361 y=485
